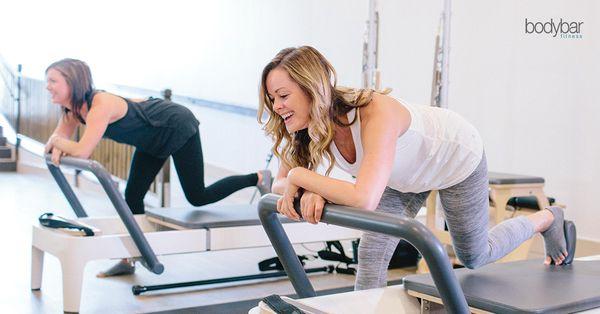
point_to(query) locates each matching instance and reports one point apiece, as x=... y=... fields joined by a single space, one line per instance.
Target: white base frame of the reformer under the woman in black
x=74 y=252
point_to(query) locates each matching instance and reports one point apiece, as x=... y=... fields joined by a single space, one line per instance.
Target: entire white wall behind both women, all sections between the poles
x=532 y=97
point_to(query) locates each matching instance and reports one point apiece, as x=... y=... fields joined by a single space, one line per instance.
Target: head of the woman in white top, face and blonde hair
x=297 y=92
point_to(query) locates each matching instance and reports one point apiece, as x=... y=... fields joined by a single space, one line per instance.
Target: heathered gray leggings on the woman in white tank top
x=466 y=209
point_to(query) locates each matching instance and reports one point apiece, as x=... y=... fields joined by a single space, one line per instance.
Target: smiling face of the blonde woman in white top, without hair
x=290 y=102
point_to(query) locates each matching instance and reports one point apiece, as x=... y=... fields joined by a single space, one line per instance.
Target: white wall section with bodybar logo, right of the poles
x=533 y=98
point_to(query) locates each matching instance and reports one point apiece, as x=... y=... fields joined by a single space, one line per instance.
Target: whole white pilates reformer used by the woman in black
x=161 y=231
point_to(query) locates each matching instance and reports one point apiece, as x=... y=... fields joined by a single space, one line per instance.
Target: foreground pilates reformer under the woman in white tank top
x=513 y=287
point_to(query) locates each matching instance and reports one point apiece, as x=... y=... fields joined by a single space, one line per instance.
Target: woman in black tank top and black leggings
x=157 y=128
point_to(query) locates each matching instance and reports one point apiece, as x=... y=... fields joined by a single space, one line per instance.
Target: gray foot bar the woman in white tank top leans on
x=409 y=229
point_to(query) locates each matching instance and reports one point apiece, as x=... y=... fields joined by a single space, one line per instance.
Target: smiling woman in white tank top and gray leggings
x=398 y=152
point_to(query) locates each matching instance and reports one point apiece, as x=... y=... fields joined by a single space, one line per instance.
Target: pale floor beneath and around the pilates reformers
x=31 y=191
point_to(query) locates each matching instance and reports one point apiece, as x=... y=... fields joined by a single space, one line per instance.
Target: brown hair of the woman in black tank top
x=78 y=76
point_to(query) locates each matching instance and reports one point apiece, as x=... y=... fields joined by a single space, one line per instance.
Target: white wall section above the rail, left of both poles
x=207 y=49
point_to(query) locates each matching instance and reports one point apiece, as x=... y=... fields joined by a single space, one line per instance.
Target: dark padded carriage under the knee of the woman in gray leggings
x=524 y=287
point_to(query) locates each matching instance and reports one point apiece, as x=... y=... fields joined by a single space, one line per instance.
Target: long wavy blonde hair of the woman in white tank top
x=317 y=78
